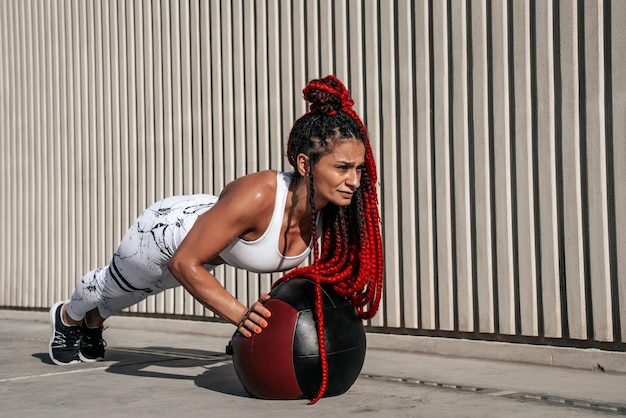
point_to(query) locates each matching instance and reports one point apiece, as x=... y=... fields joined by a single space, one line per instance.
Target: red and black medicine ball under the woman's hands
x=283 y=362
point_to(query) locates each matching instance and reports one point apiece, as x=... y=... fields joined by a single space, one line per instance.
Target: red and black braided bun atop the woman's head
x=327 y=95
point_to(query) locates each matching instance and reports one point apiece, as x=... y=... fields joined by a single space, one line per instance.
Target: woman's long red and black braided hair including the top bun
x=351 y=257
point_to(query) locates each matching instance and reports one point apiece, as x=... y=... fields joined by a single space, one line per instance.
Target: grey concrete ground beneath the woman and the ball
x=169 y=368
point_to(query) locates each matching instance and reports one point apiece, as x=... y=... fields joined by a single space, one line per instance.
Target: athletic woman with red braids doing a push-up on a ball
x=263 y=222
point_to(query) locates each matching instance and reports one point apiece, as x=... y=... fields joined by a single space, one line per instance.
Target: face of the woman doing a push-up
x=337 y=175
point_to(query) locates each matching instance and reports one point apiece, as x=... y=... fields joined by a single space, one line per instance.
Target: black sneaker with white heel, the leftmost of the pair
x=65 y=340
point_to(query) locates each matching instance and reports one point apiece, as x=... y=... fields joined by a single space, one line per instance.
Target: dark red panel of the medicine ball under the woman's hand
x=264 y=362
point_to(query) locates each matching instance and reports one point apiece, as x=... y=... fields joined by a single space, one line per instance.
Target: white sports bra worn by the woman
x=262 y=255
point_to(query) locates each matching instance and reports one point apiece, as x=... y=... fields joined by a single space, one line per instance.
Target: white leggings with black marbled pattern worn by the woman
x=138 y=268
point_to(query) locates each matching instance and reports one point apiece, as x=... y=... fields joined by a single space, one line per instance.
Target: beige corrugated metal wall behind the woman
x=498 y=126
